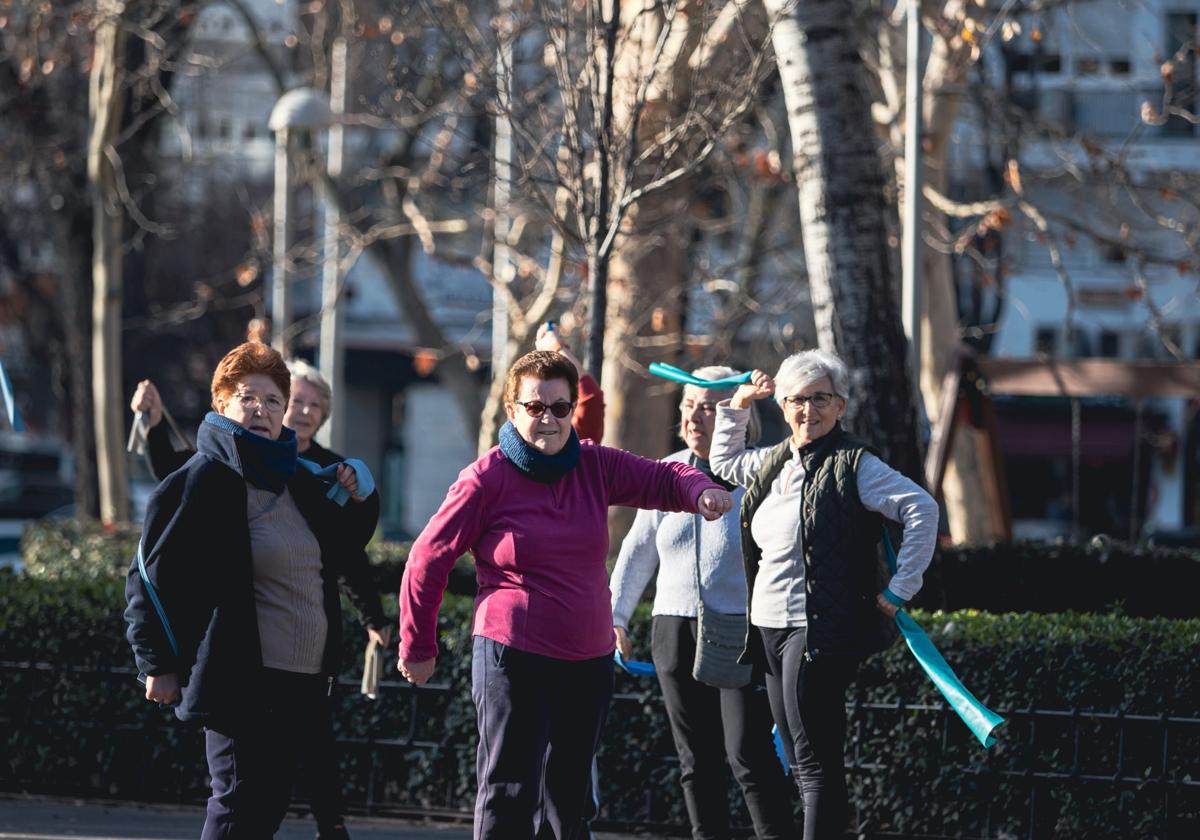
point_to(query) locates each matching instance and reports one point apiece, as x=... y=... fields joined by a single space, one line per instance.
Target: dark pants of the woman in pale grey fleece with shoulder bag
x=711 y=727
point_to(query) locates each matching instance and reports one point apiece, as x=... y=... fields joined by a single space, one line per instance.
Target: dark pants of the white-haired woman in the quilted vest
x=809 y=703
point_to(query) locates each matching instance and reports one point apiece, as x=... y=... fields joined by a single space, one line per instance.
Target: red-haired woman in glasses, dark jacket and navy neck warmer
x=233 y=609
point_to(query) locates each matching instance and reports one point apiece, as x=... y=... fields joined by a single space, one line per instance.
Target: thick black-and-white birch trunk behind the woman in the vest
x=843 y=214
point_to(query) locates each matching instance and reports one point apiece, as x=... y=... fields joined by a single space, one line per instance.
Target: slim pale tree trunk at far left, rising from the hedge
x=106 y=100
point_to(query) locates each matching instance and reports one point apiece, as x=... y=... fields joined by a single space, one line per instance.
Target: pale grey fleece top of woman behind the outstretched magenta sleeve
x=665 y=544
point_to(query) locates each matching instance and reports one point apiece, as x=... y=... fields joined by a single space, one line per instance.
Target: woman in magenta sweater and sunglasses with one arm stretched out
x=533 y=512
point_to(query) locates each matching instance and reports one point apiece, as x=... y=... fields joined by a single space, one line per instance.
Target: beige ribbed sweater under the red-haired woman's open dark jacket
x=289 y=590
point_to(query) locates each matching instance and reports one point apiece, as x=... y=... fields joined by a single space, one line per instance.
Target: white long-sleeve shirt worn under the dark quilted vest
x=779 y=593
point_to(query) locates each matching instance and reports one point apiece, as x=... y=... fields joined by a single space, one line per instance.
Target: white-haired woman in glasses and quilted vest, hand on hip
x=812 y=521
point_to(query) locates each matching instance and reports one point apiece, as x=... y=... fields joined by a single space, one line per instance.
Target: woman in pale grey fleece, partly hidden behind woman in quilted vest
x=710 y=725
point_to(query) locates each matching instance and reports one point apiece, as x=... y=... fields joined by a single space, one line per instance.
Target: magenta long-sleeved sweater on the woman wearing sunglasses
x=539 y=549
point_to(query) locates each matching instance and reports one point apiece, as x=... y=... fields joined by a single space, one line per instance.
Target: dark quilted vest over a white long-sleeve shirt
x=842 y=549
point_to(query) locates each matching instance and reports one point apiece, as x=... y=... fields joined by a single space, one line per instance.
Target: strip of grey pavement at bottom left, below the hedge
x=43 y=819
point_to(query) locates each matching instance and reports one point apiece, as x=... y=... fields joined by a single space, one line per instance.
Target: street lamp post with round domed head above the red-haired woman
x=298 y=113
